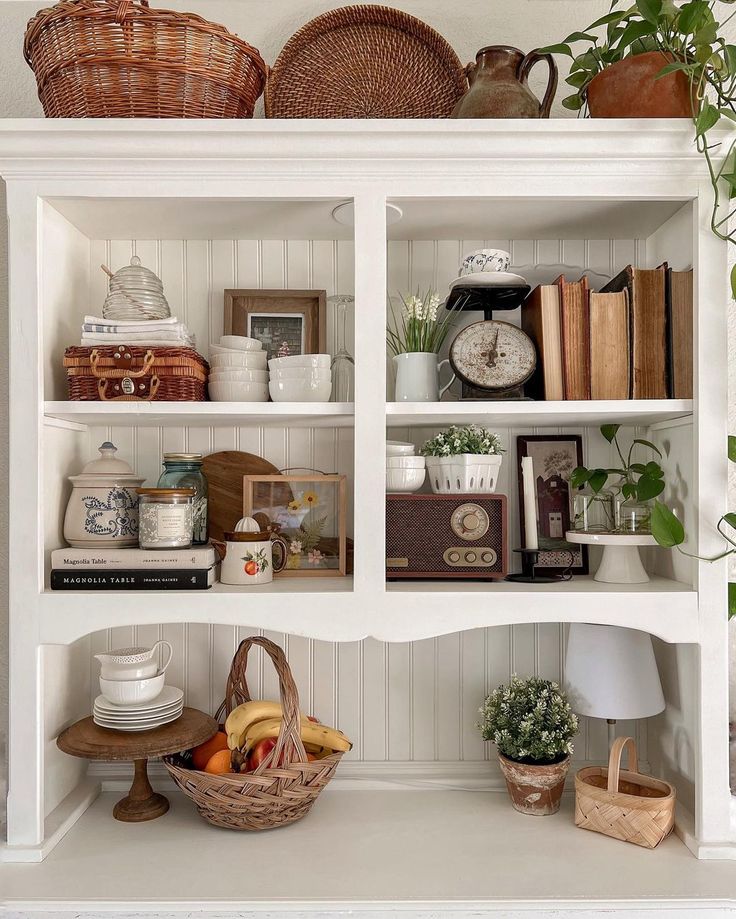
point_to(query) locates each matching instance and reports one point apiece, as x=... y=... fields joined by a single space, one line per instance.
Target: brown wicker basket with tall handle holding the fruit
x=270 y=796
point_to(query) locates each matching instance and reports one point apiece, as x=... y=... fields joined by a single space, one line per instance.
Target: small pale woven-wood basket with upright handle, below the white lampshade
x=626 y=805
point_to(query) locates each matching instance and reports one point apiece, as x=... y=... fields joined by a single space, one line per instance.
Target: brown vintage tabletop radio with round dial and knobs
x=446 y=536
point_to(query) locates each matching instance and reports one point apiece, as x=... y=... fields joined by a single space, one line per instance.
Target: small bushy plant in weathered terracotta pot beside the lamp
x=532 y=724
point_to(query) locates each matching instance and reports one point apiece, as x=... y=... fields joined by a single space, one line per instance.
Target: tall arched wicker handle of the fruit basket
x=289 y=747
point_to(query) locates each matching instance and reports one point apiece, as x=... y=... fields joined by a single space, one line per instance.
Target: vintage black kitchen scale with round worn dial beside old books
x=493 y=359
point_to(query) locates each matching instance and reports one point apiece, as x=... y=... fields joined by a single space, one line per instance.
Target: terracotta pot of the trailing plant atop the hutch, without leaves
x=628 y=89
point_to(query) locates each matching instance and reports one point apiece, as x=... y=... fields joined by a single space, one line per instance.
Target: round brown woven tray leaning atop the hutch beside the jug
x=365 y=62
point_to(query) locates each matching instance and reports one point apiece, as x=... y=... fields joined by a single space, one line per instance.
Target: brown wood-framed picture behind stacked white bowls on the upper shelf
x=286 y=322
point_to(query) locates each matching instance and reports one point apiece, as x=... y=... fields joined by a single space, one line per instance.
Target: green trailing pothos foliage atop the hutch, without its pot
x=691 y=38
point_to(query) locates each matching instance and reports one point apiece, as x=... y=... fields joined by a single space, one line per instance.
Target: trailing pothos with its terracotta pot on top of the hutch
x=656 y=58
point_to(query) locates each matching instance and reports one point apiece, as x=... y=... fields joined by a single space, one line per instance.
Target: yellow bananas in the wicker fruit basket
x=254 y=721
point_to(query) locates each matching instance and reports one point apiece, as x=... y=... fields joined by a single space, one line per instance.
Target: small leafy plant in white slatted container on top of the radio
x=463 y=460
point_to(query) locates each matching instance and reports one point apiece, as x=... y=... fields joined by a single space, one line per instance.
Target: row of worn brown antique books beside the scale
x=633 y=339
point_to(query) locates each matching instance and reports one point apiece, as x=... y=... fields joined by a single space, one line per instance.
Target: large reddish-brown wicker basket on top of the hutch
x=122 y=59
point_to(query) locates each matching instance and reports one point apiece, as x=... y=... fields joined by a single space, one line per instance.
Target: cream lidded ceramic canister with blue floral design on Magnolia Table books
x=103 y=507
